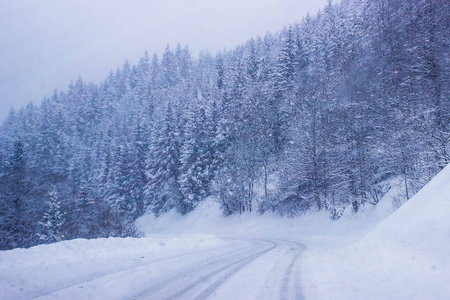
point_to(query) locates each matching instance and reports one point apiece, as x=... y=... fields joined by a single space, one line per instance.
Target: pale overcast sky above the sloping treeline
x=44 y=44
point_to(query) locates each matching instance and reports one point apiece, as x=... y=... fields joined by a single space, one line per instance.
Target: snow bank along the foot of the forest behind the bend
x=313 y=229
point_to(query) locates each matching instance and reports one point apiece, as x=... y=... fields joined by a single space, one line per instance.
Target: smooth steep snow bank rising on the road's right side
x=406 y=256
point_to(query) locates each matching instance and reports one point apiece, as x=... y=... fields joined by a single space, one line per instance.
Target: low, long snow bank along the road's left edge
x=27 y=273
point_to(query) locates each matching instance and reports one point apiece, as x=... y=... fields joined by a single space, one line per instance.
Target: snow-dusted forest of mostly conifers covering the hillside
x=323 y=115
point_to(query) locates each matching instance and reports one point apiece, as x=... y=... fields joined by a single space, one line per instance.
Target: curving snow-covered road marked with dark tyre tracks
x=245 y=269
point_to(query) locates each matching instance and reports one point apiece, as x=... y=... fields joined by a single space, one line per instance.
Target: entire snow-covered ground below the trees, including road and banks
x=373 y=255
